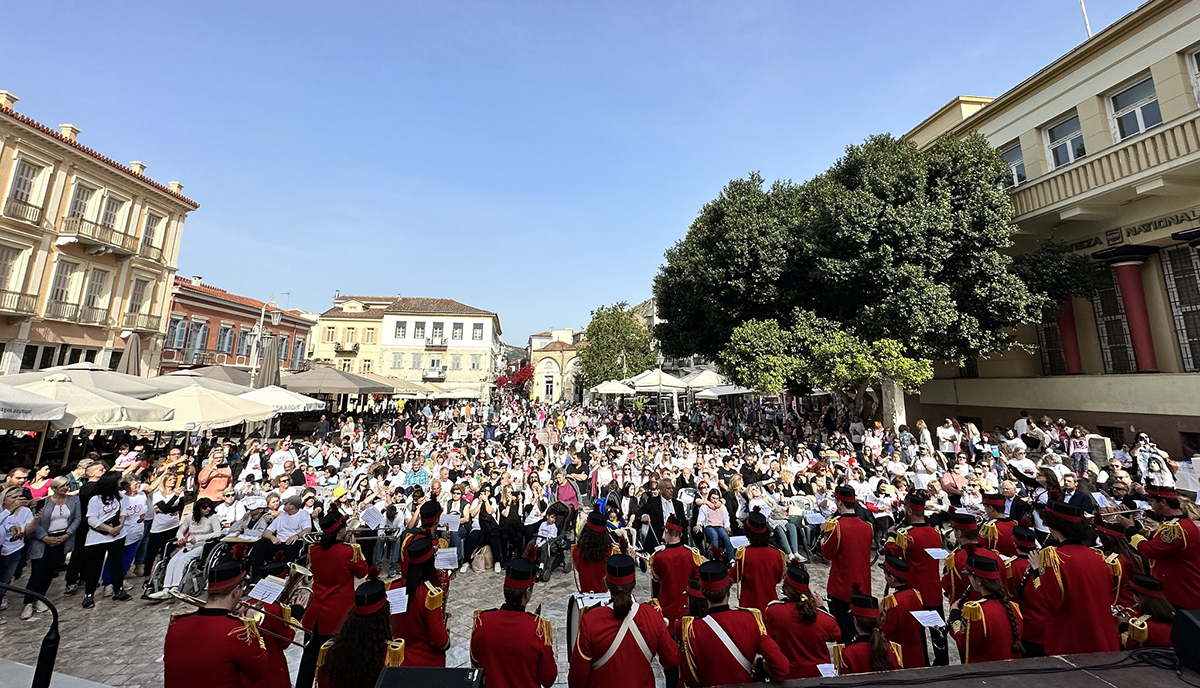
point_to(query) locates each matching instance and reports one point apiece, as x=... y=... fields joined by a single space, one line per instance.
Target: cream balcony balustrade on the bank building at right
x=1154 y=148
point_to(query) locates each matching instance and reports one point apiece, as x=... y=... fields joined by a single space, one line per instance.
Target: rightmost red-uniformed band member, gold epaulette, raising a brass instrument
x=1173 y=549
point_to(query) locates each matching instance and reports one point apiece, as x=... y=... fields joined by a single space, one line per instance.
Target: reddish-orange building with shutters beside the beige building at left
x=209 y=326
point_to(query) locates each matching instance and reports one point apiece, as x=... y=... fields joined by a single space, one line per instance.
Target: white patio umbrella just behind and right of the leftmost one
x=95 y=409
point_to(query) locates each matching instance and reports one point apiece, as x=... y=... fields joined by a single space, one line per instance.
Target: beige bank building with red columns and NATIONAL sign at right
x=1103 y=148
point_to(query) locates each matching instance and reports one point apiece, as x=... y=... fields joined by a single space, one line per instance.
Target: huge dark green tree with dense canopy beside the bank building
x=892 y=243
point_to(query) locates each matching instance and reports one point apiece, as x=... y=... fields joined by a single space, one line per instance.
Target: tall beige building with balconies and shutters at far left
x=88 y=249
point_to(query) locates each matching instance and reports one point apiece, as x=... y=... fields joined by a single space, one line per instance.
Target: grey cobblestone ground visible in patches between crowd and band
x=121 y=644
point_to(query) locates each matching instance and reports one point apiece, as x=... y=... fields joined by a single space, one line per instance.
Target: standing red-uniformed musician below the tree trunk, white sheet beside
x=925 y=572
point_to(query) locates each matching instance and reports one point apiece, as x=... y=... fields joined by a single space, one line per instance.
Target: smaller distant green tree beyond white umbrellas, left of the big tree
x=619 y=345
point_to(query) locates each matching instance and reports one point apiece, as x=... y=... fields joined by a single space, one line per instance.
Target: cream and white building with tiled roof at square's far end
x=418 y=339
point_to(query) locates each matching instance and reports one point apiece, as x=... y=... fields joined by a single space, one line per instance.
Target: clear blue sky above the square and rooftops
x=533 y=159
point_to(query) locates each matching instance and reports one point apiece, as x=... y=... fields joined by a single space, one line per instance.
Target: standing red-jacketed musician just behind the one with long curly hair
x=335 y=565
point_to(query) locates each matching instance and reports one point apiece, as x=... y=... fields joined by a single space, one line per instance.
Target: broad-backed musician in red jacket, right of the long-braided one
x=1073 y=587
